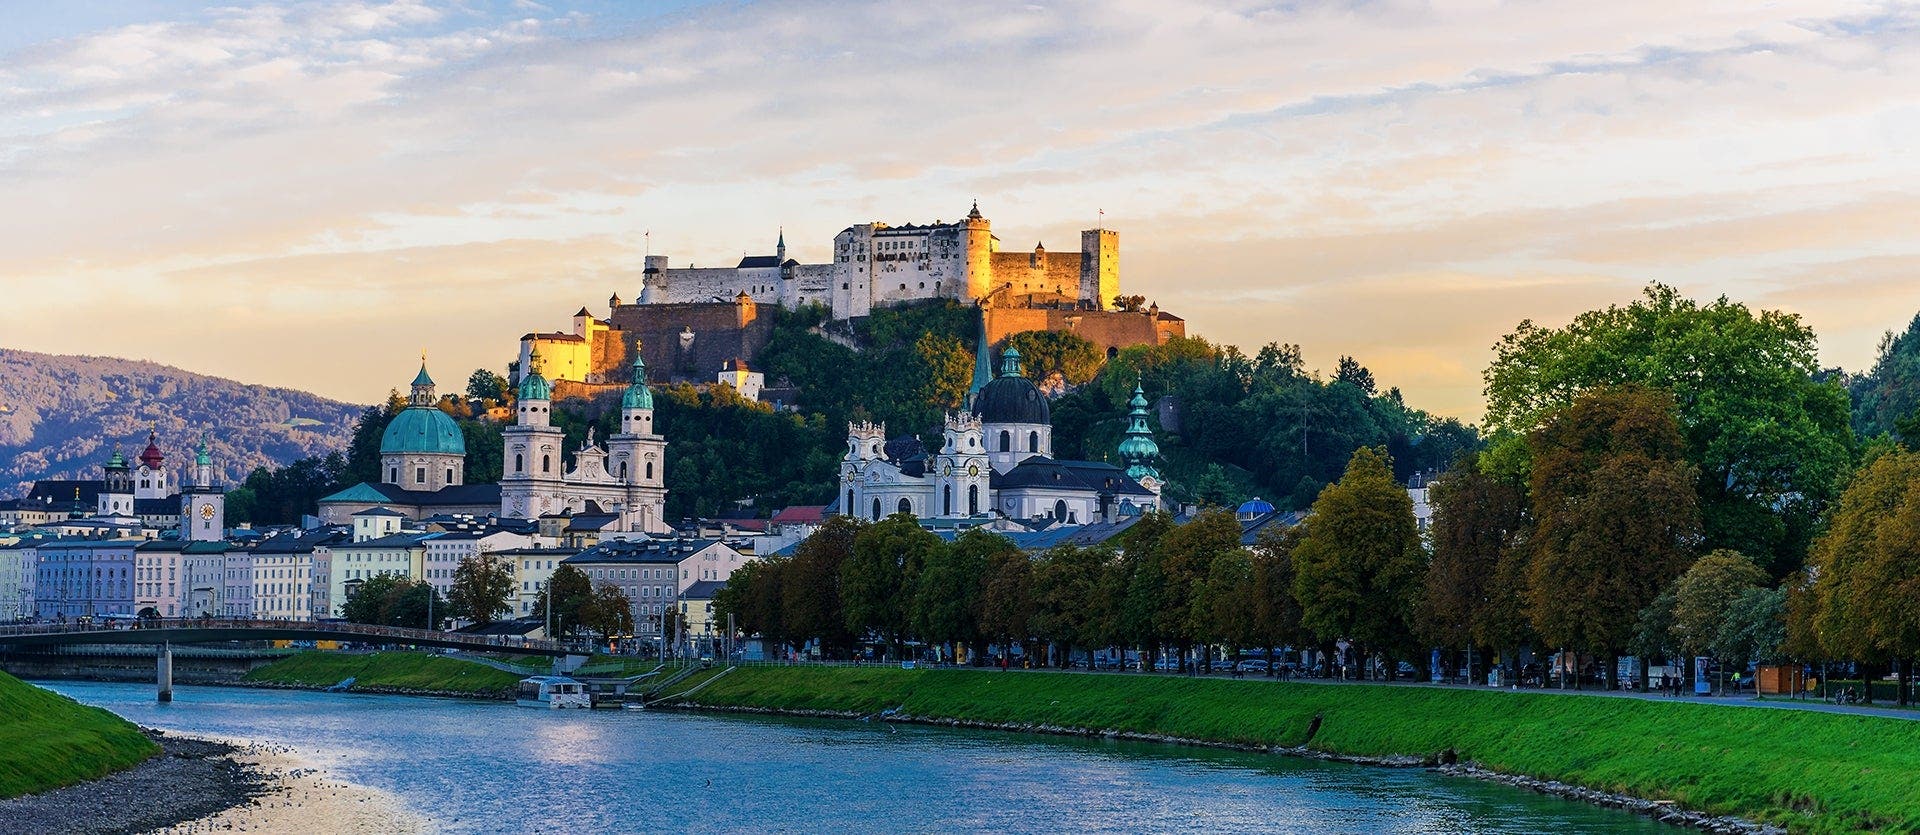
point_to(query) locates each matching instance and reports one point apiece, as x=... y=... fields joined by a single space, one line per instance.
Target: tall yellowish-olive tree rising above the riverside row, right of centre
x=1360 y=563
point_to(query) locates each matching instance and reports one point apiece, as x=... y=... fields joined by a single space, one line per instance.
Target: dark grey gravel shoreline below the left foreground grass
x=189 y=780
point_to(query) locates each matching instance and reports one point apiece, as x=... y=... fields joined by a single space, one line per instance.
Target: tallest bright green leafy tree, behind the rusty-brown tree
x=1767 y=433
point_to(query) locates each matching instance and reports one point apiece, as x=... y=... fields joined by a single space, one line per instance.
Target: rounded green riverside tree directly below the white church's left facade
x=878 y=579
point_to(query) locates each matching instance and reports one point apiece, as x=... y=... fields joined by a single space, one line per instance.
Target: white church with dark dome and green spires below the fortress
x=997 y=462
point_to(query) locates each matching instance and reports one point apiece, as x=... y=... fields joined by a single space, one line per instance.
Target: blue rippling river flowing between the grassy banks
x=496 y=767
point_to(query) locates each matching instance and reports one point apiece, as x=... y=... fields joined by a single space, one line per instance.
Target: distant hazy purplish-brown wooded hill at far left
x=62 y=416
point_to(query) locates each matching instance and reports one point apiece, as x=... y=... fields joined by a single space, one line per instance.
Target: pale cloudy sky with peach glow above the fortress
x=312 y=193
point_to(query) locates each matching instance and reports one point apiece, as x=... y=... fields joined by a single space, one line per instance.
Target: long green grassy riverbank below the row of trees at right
x=1808 y=771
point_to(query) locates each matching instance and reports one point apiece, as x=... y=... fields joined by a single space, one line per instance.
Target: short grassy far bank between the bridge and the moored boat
x=410 y=671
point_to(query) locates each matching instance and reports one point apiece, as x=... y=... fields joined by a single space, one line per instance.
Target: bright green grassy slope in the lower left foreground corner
x=49 y=740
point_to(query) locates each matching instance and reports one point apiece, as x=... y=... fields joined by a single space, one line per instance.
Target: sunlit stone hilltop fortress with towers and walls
x=690 y=322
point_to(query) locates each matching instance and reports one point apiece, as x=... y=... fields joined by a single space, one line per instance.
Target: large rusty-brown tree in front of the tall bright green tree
x=1616 y=517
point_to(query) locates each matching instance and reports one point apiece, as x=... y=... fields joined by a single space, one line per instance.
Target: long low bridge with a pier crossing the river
x=166 y=632
